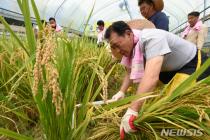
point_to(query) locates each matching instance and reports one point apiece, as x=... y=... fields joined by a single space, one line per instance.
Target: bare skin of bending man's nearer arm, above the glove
x=149 y=80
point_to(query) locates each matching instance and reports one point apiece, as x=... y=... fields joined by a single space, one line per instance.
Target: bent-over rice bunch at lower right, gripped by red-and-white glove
x=186 y=108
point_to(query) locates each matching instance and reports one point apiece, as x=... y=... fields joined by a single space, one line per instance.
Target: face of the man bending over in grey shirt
x=122 y=44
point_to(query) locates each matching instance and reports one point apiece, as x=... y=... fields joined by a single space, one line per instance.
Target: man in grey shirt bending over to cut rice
x=150 y=55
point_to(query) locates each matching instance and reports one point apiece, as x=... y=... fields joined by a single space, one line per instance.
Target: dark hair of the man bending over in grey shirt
x=119 y=27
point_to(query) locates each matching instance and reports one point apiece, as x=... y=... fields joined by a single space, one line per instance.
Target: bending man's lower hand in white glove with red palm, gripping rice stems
x=127 y=125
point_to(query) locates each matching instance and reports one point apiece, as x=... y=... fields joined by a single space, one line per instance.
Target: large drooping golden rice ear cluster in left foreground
x=44 y=63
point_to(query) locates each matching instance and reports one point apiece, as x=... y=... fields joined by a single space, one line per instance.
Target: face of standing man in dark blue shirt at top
x=145 y=10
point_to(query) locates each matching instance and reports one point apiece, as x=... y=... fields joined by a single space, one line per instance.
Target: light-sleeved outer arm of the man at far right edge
x=202 y=34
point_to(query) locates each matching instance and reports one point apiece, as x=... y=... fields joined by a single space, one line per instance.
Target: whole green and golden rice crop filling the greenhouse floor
x=42 y=80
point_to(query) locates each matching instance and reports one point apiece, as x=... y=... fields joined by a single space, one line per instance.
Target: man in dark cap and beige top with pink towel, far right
x=196 y=32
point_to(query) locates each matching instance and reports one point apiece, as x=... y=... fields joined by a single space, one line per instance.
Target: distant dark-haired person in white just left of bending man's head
x=101 y=32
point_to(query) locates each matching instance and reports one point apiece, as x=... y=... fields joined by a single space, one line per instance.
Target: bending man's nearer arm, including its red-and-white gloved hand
x=148 y=83
